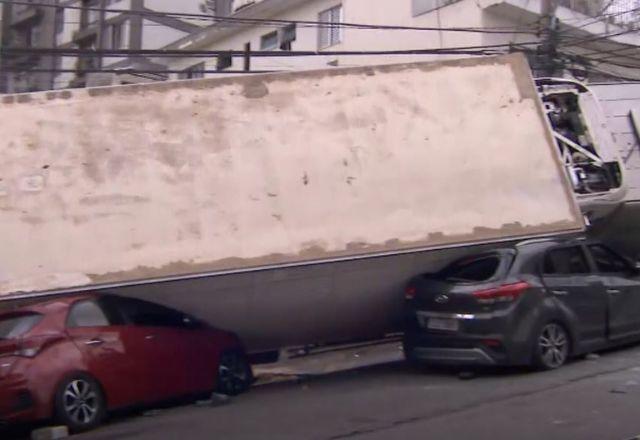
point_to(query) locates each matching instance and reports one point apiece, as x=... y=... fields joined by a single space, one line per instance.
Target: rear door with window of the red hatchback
x=114 y=354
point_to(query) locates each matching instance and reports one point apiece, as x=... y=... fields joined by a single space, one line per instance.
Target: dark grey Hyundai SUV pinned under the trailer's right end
x=536 y=303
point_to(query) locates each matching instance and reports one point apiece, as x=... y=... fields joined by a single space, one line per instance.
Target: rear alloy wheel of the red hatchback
x=80 y=403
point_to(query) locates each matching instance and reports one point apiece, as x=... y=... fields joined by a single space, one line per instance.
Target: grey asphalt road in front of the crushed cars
x=587 y=399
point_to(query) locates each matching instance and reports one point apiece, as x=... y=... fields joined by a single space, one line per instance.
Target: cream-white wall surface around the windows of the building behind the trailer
x=466 y=13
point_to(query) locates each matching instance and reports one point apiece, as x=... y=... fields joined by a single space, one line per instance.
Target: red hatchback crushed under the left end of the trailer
x=75 y=358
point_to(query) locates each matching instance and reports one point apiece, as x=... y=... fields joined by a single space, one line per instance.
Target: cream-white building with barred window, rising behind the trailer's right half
x=593 y=39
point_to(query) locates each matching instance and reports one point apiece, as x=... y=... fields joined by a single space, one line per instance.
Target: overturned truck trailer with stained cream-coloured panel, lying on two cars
x=291 y=207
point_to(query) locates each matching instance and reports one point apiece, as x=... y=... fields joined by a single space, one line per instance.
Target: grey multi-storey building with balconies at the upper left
x=85 y=25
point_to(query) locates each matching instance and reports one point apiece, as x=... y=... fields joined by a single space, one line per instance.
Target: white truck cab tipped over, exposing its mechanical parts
x=586 y=145
